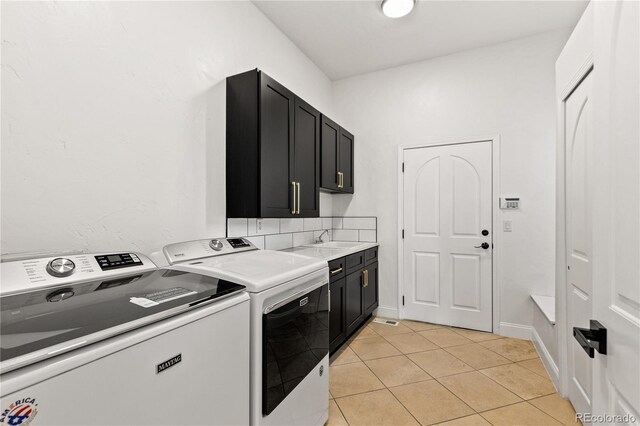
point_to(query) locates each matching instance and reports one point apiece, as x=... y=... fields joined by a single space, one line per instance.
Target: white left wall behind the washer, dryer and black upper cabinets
x=113 y=118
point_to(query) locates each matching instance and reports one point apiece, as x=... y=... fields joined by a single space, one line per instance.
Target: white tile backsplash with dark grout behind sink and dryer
x=278 y=234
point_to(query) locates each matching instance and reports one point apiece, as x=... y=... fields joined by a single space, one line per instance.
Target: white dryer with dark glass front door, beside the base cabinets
x=289 y=324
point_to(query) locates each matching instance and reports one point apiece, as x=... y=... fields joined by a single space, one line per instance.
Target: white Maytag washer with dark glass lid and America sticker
x=110 y=339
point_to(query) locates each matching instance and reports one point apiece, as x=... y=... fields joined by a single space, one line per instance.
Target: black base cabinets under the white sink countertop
x=354 y=294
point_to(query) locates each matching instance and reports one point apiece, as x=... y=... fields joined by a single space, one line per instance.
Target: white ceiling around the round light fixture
x=346 y=38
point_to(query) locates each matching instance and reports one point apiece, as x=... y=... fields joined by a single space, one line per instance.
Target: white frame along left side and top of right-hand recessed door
x=575 y=62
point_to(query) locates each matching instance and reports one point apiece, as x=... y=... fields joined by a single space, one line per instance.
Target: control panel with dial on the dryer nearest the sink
x=199 y=249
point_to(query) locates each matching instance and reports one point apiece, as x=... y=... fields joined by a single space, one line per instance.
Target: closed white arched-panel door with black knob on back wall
x=447 y=206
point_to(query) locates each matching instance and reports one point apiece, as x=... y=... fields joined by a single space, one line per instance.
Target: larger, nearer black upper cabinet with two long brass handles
x=273 y=150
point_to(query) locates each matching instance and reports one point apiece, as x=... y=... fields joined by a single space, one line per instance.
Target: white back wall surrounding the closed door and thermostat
x=506 y=89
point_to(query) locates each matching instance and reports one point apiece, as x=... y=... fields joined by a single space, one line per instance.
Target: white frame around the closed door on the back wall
x=496 y=216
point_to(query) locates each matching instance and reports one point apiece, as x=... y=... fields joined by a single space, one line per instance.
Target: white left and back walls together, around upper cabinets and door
x=113 y=128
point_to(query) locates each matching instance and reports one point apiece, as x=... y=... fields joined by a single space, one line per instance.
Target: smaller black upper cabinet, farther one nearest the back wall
x=336 y=165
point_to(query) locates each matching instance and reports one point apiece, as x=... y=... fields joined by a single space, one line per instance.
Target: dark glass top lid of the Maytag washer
x=42 y=323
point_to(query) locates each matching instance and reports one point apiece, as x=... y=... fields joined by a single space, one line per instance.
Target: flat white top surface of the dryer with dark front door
x=257 y=270
